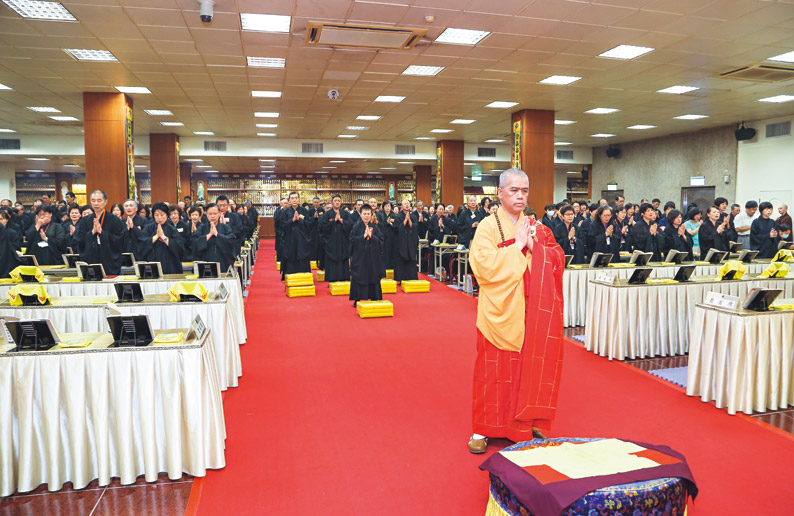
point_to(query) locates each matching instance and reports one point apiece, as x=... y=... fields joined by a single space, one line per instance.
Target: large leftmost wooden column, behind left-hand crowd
x=109 y=154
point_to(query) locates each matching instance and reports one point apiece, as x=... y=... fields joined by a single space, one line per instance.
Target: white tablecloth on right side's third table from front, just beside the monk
x=576 y=293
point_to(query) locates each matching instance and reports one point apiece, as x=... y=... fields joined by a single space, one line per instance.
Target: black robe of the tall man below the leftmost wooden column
x=104 y=248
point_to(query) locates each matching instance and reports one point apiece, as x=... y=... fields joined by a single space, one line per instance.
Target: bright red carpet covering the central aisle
x=341 y=416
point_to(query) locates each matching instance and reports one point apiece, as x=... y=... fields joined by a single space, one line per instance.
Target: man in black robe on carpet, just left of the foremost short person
x=335 y=225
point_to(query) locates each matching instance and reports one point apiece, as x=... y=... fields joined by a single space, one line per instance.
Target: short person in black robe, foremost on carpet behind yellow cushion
x=366 y=267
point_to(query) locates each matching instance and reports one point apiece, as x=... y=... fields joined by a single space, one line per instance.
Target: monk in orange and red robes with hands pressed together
x=518 y=265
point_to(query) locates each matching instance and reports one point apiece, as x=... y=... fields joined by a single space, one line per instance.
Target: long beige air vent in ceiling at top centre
x=362 y=36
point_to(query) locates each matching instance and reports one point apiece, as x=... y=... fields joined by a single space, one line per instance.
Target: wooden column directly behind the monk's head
x=533 y=152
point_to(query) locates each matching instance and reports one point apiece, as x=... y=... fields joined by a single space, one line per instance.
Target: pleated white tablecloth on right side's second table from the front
x=635 y=321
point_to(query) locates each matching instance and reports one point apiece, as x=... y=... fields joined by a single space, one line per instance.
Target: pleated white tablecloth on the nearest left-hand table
x=78 y=415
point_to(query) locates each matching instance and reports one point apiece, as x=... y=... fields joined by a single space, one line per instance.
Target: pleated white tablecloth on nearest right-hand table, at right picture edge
x=742 y=360
